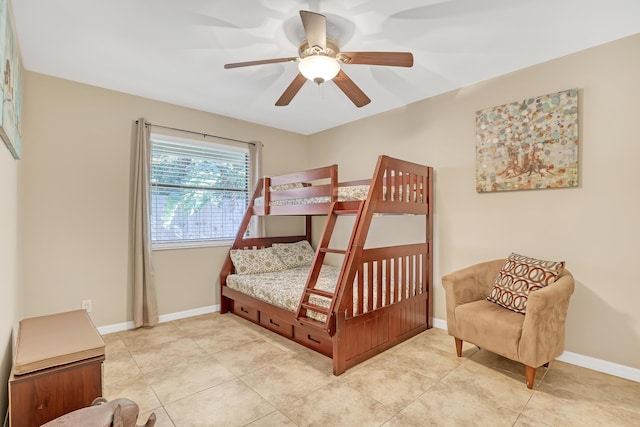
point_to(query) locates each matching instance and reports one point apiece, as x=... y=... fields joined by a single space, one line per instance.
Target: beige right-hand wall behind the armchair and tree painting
x=595 y=227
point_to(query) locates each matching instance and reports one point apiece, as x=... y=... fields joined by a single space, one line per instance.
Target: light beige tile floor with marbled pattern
x=220 y=370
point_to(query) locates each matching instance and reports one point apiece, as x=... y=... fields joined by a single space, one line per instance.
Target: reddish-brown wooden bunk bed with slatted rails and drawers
x=382 y=295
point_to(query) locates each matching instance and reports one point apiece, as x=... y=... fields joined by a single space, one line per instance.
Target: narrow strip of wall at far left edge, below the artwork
x=10 y=303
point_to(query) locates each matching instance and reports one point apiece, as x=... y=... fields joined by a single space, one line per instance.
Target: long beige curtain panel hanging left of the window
x=145 y=307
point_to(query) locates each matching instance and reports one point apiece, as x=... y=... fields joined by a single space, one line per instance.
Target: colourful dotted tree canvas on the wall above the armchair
x=528 y=145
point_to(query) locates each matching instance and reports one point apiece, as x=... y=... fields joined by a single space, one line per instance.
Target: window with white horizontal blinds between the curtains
x=199 y=191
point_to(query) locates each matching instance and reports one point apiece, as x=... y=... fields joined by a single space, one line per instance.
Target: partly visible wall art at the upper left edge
x=11 y=87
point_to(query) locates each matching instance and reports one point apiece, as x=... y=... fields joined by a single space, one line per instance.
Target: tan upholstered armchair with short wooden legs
x=533 y=338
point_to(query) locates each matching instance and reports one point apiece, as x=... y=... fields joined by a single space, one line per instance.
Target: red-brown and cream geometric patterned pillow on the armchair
x=519 y=276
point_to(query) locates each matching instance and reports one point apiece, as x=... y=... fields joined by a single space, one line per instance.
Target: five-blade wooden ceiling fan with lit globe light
x=319 y=60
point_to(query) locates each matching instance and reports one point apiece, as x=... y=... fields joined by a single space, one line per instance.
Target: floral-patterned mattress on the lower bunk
x=284 y=288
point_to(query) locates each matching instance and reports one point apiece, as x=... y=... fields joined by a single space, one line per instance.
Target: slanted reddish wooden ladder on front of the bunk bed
x=337 y=209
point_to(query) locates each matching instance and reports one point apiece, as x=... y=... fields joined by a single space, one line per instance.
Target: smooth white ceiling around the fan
x=174 y=50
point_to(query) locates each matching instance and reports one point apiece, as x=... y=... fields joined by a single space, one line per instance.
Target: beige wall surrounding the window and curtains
x=77 y=159
